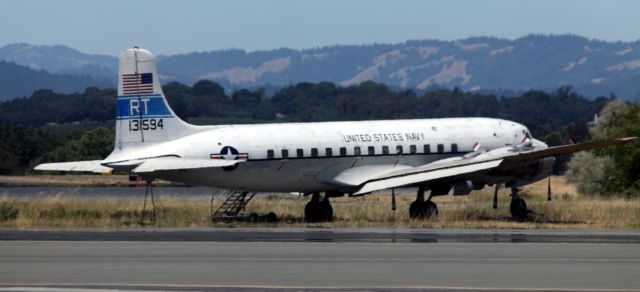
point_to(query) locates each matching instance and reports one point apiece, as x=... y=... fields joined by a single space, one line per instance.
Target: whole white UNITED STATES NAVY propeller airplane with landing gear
x=453 y=155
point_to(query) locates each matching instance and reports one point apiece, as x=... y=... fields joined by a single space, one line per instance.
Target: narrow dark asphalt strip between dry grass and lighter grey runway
x=336 y=235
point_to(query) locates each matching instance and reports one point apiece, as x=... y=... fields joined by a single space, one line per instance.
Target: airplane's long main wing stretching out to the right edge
x=457 y=166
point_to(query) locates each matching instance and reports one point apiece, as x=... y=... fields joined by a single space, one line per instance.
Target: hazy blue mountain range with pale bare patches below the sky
x=593 y=68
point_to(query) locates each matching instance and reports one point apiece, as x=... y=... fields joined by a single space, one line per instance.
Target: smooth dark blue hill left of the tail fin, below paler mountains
x=17 y=80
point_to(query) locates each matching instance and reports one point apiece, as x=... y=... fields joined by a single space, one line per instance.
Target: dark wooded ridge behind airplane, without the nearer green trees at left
x=207 y=101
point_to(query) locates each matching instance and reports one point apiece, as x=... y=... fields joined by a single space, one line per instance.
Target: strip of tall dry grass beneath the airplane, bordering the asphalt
x=567 y=210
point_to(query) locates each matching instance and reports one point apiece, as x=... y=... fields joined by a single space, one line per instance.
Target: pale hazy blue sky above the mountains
x=170 y=27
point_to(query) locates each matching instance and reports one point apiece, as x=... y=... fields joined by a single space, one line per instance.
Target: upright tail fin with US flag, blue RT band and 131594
x=143 y=114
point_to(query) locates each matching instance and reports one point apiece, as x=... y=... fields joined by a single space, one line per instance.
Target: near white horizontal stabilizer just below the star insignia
x=175 y=163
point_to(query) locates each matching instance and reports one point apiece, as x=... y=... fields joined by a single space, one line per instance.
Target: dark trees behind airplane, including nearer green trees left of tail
x=49 y=126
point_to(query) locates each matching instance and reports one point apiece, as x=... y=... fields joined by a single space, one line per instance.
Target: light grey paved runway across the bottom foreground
x=329 y=265
